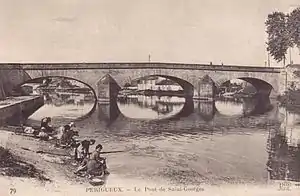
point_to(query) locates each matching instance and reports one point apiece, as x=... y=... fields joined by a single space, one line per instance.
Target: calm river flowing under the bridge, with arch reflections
x=180 y=141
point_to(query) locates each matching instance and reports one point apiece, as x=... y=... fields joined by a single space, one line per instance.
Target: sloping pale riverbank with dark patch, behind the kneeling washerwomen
x=42 y=172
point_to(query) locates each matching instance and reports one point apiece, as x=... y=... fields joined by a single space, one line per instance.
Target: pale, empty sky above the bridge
x=180 y=31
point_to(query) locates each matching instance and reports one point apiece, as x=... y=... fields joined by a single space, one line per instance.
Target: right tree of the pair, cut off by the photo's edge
x=293 y=27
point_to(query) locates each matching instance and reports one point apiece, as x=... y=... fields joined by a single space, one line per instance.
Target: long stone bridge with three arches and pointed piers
x=268 y=81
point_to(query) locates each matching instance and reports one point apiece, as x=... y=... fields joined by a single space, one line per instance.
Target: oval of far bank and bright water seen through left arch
x=64 y=98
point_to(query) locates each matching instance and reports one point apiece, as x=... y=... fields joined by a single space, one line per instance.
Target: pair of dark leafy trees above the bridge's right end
x=283 y=32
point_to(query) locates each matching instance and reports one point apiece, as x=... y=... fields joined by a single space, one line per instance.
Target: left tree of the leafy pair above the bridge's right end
x=278 y=36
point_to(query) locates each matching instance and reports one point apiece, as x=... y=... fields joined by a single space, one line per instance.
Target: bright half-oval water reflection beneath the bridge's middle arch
x=150 y=107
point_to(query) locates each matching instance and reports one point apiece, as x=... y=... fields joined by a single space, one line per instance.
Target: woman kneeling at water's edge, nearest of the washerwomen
x=95 y=165
